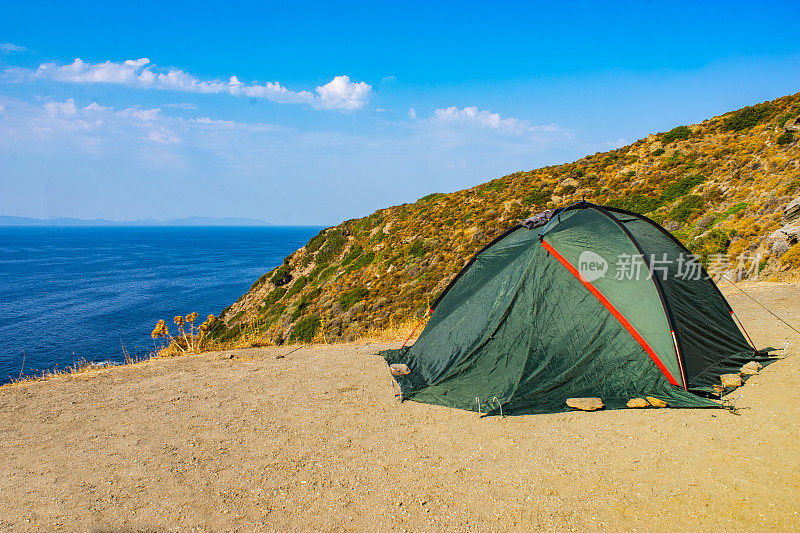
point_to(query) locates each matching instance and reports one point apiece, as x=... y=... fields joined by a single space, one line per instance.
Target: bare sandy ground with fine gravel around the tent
x=313 y=439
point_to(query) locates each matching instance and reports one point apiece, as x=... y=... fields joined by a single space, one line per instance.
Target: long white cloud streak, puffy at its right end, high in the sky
x=339 y=94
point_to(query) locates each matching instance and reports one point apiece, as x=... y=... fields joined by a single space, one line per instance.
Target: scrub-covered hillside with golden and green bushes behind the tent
x=722 y=187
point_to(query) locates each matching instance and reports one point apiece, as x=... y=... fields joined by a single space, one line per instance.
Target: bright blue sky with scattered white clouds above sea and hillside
x=312 y=113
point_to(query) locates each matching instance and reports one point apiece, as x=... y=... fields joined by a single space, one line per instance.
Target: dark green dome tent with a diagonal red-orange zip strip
x=584 y=301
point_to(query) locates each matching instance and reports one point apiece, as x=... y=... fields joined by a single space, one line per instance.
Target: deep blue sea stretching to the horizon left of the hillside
x=75 y=293
